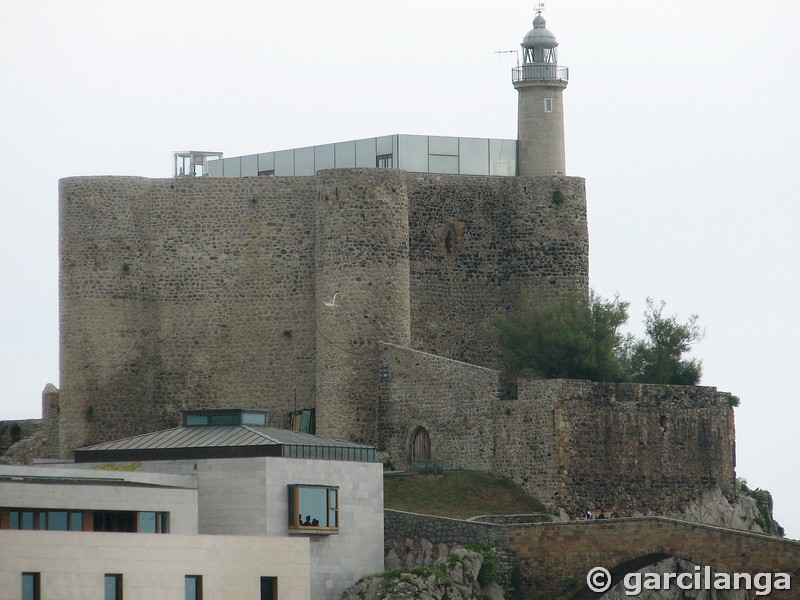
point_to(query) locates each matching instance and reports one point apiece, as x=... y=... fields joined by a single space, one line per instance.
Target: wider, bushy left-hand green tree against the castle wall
x=575 y=337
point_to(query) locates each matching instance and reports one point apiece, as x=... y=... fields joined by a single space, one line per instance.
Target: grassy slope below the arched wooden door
x=457 y=494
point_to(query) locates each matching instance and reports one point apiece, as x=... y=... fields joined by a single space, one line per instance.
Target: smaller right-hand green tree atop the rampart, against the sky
x=659 y=358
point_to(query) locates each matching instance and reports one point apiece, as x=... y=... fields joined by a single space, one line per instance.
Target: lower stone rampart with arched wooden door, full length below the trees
x=575 y=445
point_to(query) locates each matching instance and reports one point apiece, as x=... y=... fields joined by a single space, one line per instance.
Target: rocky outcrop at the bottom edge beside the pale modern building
x=453 y=576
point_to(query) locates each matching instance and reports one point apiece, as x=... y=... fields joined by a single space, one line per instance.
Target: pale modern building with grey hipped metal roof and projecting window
x=222 y=507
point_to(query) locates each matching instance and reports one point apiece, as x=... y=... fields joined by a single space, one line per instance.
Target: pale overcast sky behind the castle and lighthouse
x=683 y=118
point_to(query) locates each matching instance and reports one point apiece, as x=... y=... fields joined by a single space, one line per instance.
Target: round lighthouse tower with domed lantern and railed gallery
x=540 y=83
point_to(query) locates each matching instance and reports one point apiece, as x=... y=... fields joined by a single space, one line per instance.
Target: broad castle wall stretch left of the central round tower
x=182 y=293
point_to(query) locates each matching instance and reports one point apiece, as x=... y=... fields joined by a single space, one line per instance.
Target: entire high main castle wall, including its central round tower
x=210 y=292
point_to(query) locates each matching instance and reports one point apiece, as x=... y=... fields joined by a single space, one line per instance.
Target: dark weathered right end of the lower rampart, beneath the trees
x=645 y=448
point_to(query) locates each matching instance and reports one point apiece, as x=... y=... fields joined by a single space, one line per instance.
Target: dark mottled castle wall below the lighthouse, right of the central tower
x=481 y=245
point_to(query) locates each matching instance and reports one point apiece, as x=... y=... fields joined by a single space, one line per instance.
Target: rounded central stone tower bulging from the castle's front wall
x=362 y=258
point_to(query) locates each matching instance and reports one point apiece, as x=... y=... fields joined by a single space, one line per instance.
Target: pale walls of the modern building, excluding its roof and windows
x=244 y=501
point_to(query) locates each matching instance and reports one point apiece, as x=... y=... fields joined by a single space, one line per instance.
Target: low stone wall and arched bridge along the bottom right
x=555 y=558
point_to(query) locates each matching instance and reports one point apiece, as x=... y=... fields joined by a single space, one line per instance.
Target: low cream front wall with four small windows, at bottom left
x=73 y=564
